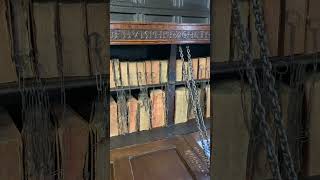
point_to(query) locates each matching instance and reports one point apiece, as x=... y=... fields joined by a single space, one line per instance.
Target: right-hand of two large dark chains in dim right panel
x=270 y=84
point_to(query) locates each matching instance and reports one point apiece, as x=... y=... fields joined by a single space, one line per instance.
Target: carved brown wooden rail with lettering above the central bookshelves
x=128 y=33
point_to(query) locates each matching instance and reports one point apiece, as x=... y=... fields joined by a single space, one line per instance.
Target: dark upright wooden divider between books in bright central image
x=171 y=84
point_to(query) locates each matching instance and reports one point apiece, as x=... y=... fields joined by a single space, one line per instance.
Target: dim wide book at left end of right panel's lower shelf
x=230 y=130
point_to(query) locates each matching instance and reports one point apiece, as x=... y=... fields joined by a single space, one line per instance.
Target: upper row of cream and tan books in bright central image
x=124 y=73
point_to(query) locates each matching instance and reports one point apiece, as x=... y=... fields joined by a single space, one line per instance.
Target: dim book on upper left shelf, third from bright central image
x=45 y=18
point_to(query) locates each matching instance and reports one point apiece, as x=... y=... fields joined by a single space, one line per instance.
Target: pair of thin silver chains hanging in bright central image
x=193 y=94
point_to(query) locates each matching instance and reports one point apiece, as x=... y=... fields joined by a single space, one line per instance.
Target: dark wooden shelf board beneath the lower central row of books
x=155 y=134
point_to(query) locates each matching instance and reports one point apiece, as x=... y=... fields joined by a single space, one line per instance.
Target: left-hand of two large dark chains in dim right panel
x=258 y=109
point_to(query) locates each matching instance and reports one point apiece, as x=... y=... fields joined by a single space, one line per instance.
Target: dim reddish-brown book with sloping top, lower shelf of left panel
x=73 y=141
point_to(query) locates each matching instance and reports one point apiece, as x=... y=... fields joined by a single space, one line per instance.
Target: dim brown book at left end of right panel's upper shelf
x=221 y=29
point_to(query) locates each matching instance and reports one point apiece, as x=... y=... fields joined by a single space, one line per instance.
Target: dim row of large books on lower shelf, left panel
x=76 y=152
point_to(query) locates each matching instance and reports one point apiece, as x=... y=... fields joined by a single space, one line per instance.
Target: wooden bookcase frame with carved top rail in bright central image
x=150 y=34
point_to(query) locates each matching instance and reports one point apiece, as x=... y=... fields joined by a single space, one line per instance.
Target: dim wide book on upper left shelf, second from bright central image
x=74 y=42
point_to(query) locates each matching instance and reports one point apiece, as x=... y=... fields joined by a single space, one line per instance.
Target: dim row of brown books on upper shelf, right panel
x=292 y=27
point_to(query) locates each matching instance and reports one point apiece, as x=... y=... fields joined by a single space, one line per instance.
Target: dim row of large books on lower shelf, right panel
x=232 y=114
